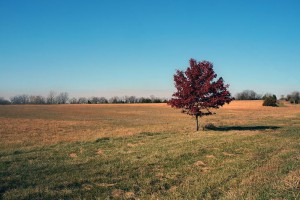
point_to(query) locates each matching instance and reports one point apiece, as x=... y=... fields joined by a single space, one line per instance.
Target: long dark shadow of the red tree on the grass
x=242 y=128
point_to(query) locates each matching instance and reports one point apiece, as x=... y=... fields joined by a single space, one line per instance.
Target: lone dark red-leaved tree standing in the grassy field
x=198 y=91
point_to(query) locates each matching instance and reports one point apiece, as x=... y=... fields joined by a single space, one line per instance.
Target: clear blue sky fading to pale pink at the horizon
x=133 y=47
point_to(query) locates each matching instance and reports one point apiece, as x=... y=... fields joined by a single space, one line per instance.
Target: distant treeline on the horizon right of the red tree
x=294 y=97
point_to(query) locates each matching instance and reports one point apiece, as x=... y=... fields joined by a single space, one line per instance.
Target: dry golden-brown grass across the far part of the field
x=50 y=124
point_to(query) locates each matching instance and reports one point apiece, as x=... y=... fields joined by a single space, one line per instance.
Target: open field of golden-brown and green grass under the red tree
x=149 y=151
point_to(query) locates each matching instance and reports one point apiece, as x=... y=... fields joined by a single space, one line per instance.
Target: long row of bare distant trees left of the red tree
x=63 y=98
